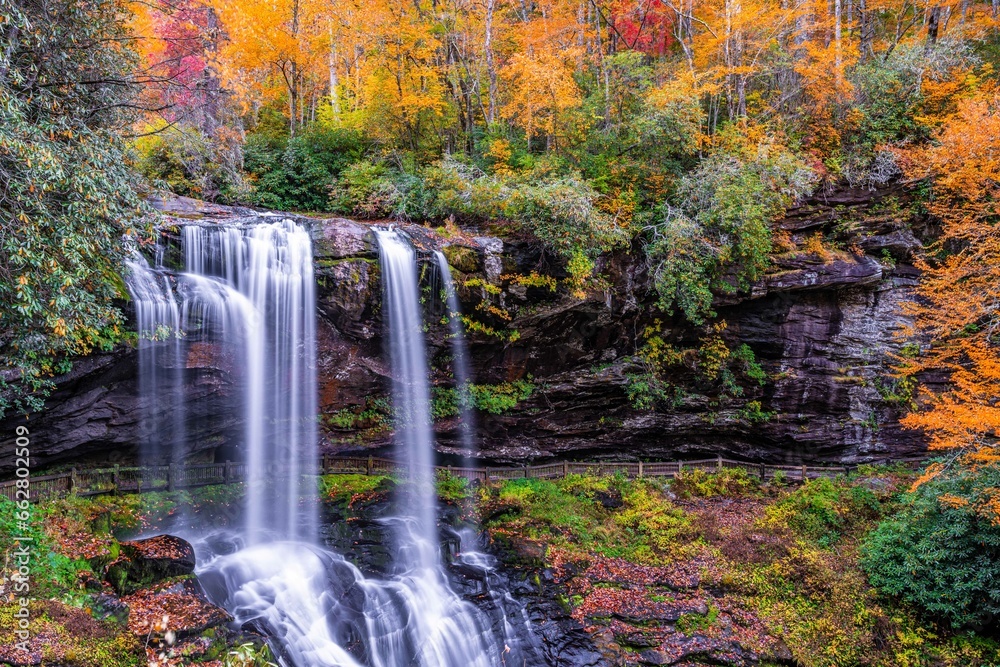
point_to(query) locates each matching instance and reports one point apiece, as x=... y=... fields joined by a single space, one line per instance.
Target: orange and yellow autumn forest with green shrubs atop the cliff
x=691 y=126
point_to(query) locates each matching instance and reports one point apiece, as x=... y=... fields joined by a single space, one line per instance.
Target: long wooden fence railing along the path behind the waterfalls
x=169 y=478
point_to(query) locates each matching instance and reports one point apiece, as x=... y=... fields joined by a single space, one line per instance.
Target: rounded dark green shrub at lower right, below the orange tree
x=941 y=551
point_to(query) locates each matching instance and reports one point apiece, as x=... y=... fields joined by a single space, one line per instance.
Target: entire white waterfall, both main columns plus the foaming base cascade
x=250 y=292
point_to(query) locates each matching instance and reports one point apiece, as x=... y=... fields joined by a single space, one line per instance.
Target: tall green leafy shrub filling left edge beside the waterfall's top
x=69 y=194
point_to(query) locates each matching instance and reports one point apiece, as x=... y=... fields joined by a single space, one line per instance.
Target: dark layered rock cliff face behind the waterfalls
x=821 y=323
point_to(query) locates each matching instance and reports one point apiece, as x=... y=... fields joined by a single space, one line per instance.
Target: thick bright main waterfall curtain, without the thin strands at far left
x=271 y=266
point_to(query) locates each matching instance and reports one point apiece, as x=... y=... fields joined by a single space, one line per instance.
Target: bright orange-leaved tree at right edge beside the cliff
x=957 y=305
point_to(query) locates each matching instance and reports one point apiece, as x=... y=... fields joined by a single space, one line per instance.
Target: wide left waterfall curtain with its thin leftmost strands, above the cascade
x=248 y=291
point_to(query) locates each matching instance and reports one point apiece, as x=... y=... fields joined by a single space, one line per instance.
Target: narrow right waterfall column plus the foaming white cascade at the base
x=320 y=609
